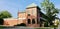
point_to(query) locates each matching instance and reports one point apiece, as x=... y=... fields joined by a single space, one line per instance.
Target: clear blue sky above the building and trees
x=13 y=5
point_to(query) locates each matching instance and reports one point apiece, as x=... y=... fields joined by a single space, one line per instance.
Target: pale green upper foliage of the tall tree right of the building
x=49 y=7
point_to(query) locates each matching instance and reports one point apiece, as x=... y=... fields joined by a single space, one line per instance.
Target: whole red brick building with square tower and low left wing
x=30 y=17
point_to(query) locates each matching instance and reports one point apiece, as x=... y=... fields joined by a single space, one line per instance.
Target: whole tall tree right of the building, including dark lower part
x=50 y=10
